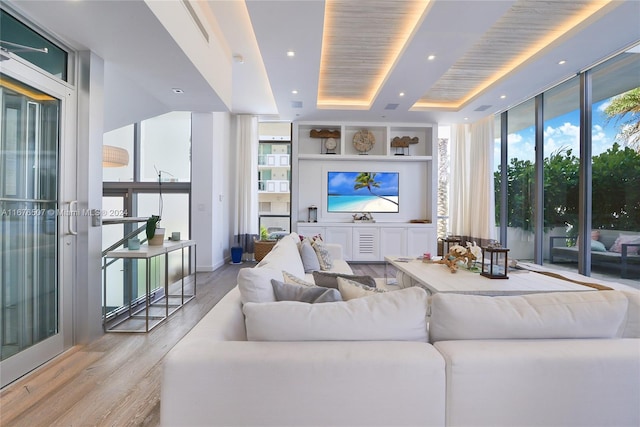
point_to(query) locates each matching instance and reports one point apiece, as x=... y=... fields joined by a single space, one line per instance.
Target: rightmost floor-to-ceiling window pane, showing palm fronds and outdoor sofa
x=615 y=142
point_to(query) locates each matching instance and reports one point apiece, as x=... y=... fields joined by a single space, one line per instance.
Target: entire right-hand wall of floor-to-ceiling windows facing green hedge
x=603 y=208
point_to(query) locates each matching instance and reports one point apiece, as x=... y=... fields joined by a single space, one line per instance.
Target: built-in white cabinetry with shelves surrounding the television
x=314 y=158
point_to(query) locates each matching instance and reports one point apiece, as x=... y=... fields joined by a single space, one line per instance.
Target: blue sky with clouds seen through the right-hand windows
x=563 y=132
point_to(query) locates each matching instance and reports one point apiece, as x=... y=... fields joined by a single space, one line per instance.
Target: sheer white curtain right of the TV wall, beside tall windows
x=472 y=206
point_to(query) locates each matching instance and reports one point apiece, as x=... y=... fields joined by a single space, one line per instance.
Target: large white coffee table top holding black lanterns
x=438 y=278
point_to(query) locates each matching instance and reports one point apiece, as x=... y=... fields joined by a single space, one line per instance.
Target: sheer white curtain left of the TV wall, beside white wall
x=246 y=182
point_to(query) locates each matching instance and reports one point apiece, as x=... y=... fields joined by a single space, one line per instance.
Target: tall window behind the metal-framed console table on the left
x=152 y=176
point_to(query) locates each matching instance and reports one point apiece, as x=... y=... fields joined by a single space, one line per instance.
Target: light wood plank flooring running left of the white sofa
x=115 y=381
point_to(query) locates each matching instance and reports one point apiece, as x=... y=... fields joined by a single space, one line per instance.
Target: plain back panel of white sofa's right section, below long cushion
x=542 y=383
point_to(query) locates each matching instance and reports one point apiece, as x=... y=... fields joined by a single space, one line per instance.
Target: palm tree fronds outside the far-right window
x=626 y=109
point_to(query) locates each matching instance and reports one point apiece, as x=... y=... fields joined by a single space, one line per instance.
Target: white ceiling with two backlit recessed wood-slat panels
x=370 y=59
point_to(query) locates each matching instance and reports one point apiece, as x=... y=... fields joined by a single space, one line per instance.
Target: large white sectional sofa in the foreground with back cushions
x=564 y=359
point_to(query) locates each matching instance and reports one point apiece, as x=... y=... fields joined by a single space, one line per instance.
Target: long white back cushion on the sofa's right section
x=591 y=314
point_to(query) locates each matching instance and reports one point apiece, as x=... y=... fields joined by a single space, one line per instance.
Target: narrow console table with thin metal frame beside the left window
x=147 y=253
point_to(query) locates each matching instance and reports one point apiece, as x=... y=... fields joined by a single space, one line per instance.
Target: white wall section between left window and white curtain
x=210 y=198
